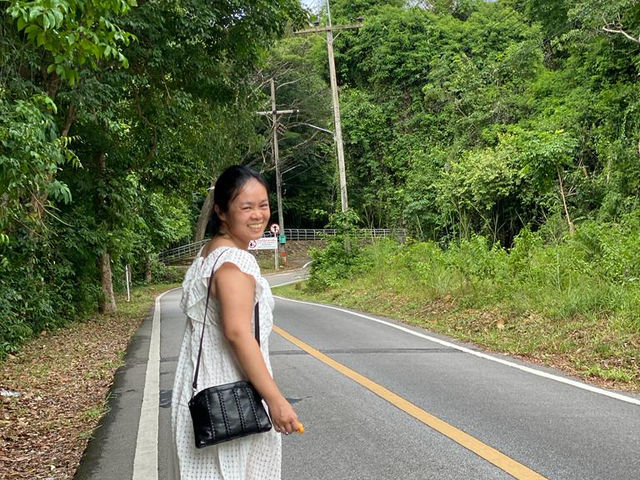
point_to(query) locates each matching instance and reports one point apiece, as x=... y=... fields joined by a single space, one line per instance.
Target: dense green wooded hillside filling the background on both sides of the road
x=505 y=131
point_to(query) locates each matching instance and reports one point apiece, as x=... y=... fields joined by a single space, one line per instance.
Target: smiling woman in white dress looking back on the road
x=230 y=351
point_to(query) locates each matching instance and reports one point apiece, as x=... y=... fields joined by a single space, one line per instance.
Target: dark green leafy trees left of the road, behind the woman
x=114 y=118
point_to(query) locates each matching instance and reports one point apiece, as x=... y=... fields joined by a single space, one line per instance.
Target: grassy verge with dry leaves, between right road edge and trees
x=572 y=304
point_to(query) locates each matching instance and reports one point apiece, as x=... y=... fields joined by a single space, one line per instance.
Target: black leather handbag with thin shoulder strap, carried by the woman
x=229 y=411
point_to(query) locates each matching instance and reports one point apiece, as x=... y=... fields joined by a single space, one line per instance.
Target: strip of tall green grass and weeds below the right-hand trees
x=592 y=273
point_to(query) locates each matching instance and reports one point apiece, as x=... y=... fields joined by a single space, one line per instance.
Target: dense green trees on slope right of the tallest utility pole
x=489 y=118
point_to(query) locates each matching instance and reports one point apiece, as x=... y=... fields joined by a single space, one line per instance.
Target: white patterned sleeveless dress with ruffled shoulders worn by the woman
x=255 y=457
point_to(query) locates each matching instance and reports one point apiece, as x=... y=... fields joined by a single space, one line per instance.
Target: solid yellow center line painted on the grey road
x=499 y=459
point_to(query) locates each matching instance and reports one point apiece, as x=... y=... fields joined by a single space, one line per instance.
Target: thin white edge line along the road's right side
x=530 y=370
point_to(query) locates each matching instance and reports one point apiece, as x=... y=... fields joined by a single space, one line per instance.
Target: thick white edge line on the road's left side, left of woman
x=145 y=461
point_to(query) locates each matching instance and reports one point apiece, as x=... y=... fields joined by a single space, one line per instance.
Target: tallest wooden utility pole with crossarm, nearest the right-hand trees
x=344 y=202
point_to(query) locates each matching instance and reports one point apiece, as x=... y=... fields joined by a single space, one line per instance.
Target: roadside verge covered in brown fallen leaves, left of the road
x=63 y=379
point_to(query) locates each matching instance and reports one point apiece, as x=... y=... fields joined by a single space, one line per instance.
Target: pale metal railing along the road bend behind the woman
x=184 y=252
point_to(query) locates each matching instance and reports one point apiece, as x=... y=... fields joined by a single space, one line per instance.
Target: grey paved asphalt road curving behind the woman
x=534 y=426
